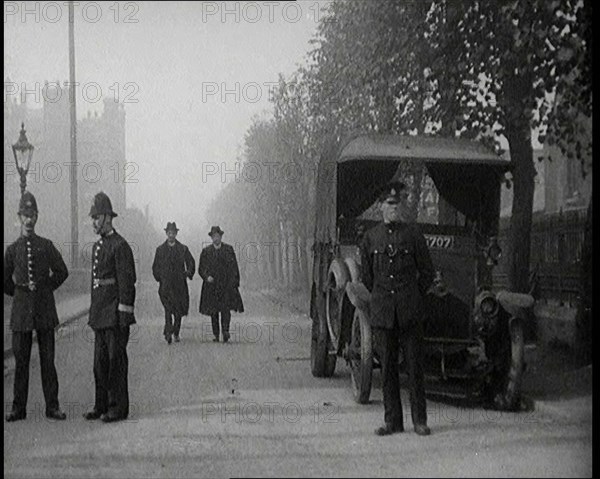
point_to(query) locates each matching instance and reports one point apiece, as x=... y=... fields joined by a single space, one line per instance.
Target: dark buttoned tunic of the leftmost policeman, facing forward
x=36 y=259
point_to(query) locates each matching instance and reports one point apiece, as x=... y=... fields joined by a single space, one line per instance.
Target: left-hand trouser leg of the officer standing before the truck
x=386 y=343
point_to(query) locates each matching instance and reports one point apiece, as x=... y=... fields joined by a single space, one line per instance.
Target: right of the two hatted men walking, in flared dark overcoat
x=219 y=270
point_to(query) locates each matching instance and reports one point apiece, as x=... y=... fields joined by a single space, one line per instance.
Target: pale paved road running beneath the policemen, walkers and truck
x=252 y=408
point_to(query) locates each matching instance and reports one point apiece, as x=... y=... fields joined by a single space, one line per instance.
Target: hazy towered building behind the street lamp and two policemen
x=100 y=153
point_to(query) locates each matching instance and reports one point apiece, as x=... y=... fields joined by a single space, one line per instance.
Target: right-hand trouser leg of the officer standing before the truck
x=414 y=357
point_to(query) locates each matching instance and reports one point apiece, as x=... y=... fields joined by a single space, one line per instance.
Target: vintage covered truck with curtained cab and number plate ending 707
x=474 y=340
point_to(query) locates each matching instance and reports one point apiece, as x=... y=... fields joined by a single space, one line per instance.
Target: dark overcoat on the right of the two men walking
x=223 y=293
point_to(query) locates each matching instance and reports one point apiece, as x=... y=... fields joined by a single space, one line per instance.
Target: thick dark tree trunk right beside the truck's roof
x=519 y=234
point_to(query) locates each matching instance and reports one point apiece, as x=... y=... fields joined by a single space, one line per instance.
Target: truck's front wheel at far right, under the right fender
x=506 y=394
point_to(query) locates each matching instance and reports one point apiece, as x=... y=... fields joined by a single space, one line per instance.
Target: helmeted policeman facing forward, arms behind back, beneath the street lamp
x=33 y=269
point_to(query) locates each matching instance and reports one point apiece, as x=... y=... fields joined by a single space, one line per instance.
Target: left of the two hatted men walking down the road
x=173 y=264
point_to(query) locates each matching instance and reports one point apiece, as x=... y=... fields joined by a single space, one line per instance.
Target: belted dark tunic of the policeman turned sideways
x=113 y=264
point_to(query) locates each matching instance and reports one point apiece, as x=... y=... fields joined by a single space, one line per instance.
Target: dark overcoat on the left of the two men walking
x=171 y=267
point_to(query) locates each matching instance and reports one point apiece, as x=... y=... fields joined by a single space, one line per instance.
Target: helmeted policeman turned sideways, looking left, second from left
x=111 y=313
